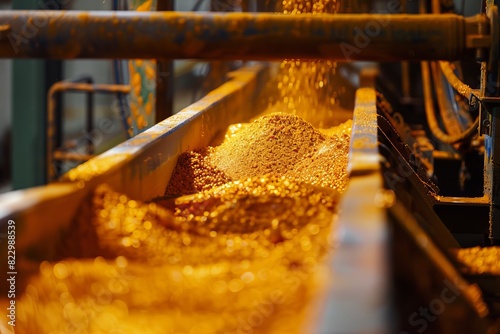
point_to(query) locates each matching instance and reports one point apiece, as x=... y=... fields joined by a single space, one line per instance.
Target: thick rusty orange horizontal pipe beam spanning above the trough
x=245 y=36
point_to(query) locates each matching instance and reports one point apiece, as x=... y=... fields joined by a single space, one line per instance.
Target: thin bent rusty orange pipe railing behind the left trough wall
x=65 y=86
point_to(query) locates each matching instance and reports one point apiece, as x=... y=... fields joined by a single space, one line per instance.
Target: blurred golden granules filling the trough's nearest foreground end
x=105 y=296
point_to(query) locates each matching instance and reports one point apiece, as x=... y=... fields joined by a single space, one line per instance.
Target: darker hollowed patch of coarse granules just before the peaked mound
x=275 y=206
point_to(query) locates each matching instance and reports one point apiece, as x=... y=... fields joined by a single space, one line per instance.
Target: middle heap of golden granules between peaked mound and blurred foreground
x=248 y=218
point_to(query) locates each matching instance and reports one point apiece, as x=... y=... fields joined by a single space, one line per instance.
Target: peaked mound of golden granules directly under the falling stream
x=278 y=145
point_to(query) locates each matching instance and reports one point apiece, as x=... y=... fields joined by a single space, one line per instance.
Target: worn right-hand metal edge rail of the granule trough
x=356 y=299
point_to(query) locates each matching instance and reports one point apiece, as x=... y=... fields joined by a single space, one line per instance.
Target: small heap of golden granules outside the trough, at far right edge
x=480 y=260
